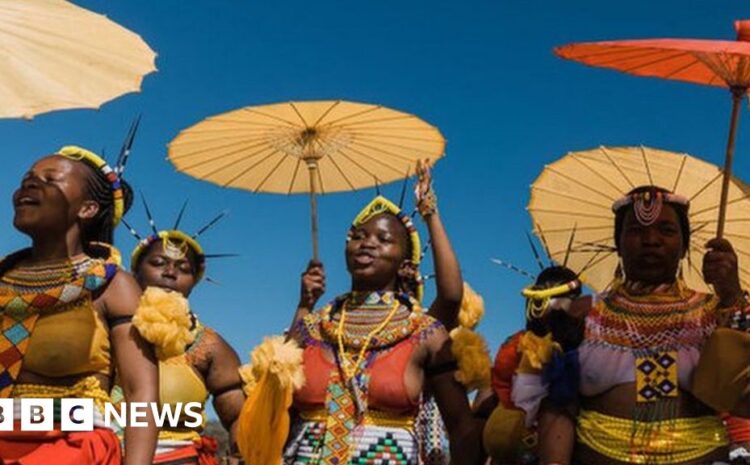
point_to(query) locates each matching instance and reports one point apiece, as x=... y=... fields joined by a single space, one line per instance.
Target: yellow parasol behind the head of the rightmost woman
x=576 y=193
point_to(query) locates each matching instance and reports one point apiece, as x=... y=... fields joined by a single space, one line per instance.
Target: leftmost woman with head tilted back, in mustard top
x=75 y=305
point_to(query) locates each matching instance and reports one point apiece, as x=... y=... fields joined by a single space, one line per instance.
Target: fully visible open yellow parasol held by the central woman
x=343 y=145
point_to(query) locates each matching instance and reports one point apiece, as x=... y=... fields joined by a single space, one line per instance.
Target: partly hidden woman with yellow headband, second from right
x=528 y=364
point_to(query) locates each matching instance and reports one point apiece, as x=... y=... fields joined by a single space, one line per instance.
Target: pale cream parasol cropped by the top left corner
x=58 y=56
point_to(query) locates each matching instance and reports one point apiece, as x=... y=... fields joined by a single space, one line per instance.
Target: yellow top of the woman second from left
x=180 y=383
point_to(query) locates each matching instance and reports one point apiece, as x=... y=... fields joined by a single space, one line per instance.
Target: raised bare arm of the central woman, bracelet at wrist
x=448 y=278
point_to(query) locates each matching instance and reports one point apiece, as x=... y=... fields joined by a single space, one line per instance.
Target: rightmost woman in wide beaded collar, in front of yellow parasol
x=641 y=343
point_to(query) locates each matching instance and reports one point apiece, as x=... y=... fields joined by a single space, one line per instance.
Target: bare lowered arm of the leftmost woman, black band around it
x=136 y=365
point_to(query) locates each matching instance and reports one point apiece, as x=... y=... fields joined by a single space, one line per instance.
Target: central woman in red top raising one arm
x=371 y=354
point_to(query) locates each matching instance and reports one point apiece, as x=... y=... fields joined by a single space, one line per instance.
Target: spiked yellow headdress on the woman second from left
x=176 y=242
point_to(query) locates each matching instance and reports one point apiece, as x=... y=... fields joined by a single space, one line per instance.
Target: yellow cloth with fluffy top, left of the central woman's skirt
x=263 y=425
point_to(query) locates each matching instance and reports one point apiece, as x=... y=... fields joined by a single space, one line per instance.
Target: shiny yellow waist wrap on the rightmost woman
x=660 y=442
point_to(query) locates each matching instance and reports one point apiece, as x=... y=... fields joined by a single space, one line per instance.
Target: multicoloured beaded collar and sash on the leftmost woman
x=26 y=292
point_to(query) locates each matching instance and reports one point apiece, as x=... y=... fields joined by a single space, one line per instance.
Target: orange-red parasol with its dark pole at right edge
x=710 y=62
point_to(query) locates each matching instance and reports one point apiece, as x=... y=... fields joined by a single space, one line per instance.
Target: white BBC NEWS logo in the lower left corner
x=78 y=414
